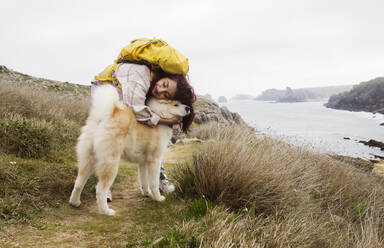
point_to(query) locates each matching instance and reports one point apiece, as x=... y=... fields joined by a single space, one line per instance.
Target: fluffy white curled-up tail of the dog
x=104 y=99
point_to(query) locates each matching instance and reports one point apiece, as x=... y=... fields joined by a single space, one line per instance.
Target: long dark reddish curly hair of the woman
x=184 y=94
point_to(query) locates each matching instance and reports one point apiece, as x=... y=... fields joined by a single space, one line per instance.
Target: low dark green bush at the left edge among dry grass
x=24 y=139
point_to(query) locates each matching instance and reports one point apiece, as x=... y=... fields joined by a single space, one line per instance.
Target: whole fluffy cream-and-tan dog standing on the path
x=112 y=132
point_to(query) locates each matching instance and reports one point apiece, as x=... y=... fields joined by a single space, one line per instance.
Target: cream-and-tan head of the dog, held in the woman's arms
x=168 y=108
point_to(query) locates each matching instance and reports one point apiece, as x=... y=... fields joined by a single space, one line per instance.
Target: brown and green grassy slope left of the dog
x=38 y=131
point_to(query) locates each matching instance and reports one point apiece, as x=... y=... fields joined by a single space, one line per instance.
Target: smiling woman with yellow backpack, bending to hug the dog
x=138 y=81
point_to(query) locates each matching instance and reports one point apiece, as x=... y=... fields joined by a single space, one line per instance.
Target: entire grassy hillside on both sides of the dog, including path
x=233 y=190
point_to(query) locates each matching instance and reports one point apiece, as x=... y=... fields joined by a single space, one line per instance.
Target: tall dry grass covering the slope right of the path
x=286 y=195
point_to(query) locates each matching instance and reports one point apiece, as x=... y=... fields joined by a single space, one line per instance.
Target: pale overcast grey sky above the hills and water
x=234 y=47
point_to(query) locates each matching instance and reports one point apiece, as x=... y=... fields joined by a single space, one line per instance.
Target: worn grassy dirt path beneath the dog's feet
x=137 y=223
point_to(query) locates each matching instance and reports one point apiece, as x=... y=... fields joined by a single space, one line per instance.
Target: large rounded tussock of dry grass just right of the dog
x=230 y=171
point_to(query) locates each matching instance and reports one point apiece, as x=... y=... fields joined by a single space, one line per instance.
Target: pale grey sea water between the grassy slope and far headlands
x=312 y=125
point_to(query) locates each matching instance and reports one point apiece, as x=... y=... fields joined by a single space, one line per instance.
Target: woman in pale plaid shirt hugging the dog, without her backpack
x=137 y=88
